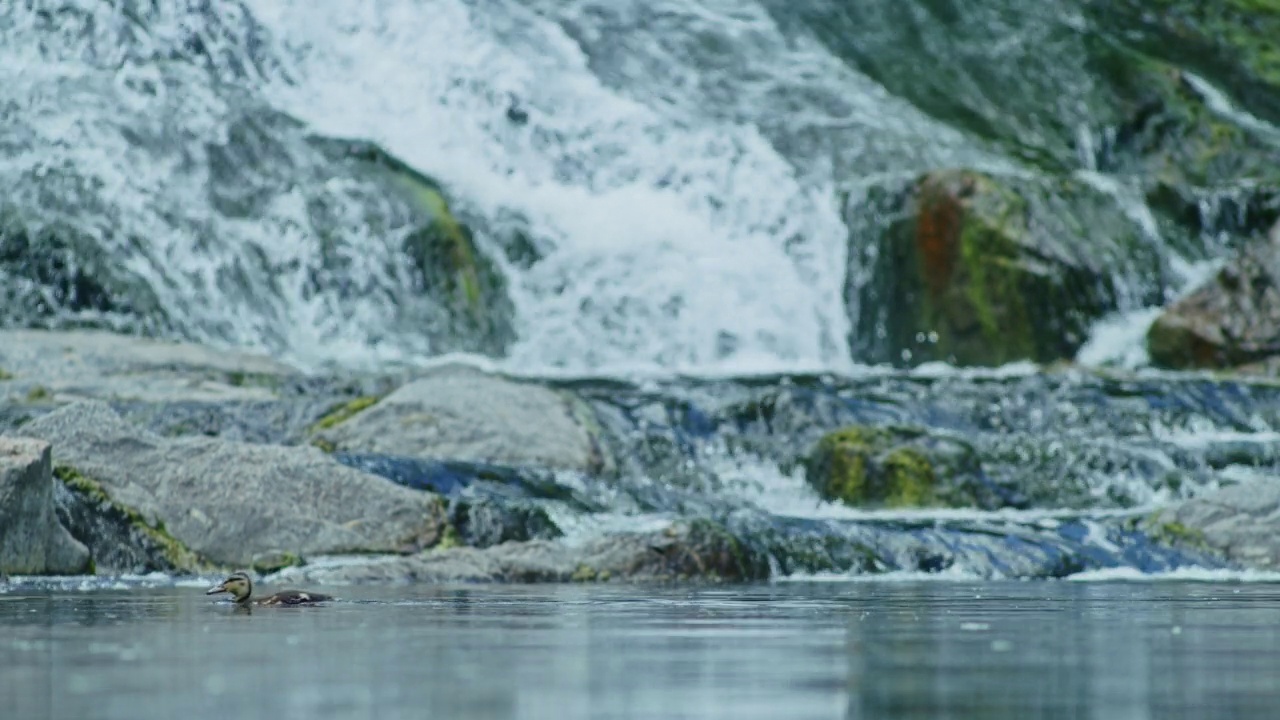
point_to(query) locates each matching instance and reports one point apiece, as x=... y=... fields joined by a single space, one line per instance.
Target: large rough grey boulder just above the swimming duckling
x=228 y=502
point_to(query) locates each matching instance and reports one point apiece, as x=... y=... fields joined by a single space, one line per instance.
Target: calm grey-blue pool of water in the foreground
x=935 y=650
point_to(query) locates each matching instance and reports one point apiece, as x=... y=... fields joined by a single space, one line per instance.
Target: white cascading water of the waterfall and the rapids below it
x=692 y=179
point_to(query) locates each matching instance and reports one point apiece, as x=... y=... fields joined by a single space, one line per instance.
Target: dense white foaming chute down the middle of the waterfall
x=673 y=240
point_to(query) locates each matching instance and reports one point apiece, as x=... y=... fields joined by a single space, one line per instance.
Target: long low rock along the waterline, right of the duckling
x=698 y=550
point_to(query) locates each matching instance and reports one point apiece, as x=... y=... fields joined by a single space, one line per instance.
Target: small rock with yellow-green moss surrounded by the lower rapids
x=895 y=467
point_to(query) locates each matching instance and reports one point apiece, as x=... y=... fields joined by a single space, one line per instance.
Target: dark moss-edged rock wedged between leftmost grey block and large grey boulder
x=120 y=539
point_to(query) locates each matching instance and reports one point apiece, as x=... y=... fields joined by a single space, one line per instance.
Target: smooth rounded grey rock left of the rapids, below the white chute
x=461 y=413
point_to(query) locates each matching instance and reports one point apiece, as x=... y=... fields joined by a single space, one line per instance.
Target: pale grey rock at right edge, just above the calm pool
x=1240 y=522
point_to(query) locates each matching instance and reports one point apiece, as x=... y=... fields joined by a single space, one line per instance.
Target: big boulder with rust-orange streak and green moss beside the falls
x=984 y=271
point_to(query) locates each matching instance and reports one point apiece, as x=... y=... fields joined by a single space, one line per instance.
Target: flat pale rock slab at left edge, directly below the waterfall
x=67 y=366
